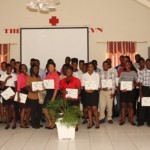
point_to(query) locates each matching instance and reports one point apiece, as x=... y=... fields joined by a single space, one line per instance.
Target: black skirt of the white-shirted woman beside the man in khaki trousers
x=92 y=99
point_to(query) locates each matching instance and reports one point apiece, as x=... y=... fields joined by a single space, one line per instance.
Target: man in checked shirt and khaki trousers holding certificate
x=107 y=87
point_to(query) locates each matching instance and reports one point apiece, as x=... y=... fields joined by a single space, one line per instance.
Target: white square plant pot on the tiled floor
x=65 y=132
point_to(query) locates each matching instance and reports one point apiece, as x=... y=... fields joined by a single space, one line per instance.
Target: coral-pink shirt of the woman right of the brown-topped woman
x=55 y=77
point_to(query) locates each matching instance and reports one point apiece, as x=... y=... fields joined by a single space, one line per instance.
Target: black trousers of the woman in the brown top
x=36 y=112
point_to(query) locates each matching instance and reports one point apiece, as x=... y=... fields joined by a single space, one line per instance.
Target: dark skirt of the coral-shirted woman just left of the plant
x=48 y=97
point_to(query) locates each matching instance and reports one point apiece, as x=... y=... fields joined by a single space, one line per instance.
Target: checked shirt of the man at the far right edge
x=144 y=77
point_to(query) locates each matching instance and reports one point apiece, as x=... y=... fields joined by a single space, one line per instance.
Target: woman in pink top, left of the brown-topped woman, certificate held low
x=22 y=89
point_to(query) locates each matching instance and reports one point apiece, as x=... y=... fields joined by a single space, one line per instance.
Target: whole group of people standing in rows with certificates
x=99 y=91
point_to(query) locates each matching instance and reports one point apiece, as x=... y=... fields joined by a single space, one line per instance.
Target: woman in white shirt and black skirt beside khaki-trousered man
x=90 y=82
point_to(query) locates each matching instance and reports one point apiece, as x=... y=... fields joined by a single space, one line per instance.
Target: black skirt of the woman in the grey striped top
x=128 y=97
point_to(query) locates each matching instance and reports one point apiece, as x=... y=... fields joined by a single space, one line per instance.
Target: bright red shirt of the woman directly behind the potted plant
x=74 y=84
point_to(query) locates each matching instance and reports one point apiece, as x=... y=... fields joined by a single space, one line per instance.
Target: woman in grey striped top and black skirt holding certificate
x=128 y=81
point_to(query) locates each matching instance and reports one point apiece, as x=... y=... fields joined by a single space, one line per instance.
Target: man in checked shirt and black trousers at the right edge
x=144 y=110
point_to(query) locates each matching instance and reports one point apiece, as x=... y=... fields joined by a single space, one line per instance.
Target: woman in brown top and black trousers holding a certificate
x=34 y=85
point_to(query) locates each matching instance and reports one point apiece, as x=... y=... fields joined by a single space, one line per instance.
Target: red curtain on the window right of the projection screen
x=117 y=48
